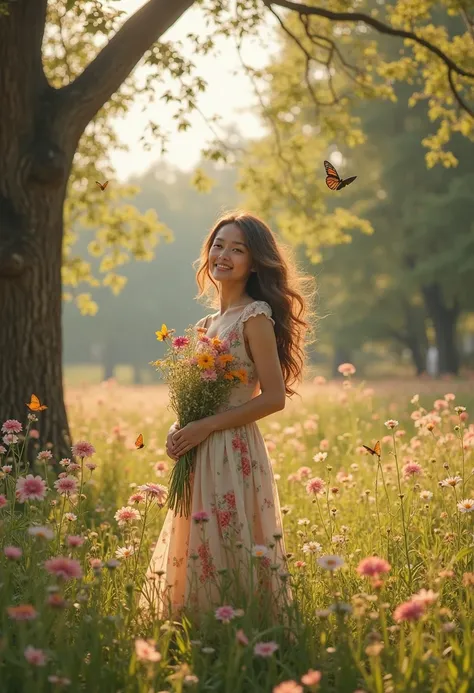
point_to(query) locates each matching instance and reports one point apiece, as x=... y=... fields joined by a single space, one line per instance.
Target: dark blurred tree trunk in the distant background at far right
x=445 y=325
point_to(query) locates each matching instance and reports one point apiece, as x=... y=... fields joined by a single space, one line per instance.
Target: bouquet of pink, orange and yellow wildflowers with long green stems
x=200 y=373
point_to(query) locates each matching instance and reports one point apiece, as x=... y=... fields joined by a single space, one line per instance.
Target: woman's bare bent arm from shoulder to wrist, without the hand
x=262 y=344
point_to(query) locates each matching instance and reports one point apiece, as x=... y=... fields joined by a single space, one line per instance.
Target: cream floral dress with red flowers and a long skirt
x=206 y=564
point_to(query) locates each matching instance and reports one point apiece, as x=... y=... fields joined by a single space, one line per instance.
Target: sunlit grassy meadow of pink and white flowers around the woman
x=380 y=551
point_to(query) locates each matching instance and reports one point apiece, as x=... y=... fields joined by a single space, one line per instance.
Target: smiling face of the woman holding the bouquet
x=229 y=256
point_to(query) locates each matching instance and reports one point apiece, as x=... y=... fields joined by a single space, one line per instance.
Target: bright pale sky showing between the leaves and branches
x=228 y=95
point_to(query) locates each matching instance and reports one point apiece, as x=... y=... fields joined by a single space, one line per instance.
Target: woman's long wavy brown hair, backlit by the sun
x=276 y=280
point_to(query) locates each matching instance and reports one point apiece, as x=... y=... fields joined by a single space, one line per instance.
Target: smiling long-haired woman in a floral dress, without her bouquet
x=231 y=549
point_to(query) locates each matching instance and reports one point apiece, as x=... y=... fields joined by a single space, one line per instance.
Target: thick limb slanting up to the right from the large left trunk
x=104 y=75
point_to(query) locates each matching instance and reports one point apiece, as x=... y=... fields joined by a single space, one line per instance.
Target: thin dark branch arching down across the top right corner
x=382 y=28
